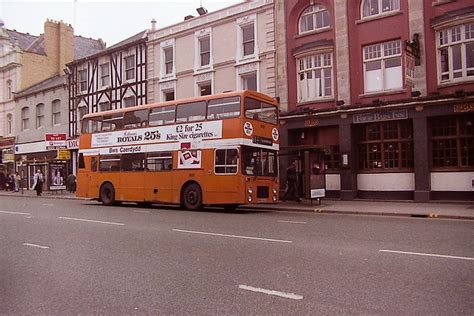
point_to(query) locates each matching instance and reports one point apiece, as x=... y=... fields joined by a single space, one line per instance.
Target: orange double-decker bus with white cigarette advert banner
x=218 y=150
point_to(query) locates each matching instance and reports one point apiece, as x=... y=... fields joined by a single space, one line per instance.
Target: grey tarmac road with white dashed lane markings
x=73 y=256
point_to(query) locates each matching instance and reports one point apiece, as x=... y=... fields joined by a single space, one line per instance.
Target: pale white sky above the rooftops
x=112 y=21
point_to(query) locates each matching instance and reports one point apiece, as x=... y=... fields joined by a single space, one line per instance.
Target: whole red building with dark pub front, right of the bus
x=385 y=90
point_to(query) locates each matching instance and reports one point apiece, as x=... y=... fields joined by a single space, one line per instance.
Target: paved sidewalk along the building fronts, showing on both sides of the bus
x=453 y=210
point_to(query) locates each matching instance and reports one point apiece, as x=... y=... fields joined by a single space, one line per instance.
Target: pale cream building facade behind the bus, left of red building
x=226 y=50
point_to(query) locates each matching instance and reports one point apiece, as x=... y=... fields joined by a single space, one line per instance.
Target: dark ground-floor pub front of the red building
x=418 y=151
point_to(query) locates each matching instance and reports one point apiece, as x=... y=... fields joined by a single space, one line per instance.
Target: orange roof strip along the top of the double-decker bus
x=243 y=93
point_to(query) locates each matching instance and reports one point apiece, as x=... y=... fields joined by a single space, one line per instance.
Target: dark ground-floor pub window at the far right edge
x=452 y=141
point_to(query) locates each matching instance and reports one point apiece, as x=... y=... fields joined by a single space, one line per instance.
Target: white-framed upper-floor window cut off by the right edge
x=456 y=53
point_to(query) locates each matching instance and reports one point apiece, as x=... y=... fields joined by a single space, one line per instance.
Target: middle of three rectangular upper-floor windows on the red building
x=383 y=67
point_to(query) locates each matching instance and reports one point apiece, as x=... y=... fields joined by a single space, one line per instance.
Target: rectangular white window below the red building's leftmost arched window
x=315 y=77
